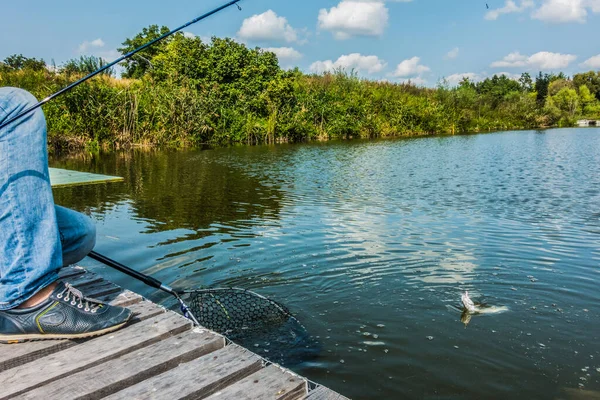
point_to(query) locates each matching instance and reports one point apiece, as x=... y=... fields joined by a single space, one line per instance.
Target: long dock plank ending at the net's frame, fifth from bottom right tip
x=91 y=353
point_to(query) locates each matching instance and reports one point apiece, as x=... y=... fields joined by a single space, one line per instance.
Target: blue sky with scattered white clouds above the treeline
x=420 y=40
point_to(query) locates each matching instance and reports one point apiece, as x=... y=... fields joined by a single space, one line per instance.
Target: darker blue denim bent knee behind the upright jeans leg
x=77 y=234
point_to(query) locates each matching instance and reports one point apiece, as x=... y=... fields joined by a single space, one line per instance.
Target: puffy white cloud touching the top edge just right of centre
x=355 y=18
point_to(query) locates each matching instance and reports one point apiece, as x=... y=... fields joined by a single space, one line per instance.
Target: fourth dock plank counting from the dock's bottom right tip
x=125 y=371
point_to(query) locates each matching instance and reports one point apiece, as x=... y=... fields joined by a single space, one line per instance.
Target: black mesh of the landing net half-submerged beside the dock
x=255 y=322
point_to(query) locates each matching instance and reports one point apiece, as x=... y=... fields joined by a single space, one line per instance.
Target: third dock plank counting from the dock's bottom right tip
x=198 y=378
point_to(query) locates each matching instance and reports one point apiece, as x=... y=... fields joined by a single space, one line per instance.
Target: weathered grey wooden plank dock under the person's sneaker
x=158 y=355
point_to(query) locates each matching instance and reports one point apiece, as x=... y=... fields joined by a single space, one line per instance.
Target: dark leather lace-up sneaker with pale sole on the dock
x=66 y=314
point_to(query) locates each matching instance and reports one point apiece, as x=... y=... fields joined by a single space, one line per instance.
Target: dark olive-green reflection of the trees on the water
x=172 y=190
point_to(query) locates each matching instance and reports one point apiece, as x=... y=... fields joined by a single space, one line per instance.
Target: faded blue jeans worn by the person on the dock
x=37 y=238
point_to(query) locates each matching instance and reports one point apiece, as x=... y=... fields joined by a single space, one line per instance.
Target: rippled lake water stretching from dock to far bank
x=370 y=244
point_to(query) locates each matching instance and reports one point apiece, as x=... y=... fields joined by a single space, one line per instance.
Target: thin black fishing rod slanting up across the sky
x=118 y=60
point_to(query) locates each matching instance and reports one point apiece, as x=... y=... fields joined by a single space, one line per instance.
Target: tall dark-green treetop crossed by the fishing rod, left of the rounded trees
x=139 y=64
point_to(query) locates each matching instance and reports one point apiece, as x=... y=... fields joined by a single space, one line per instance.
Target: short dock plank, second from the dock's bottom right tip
x=271 y=383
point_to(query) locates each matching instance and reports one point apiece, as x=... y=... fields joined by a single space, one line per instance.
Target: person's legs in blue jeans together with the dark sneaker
x=32 y=305
